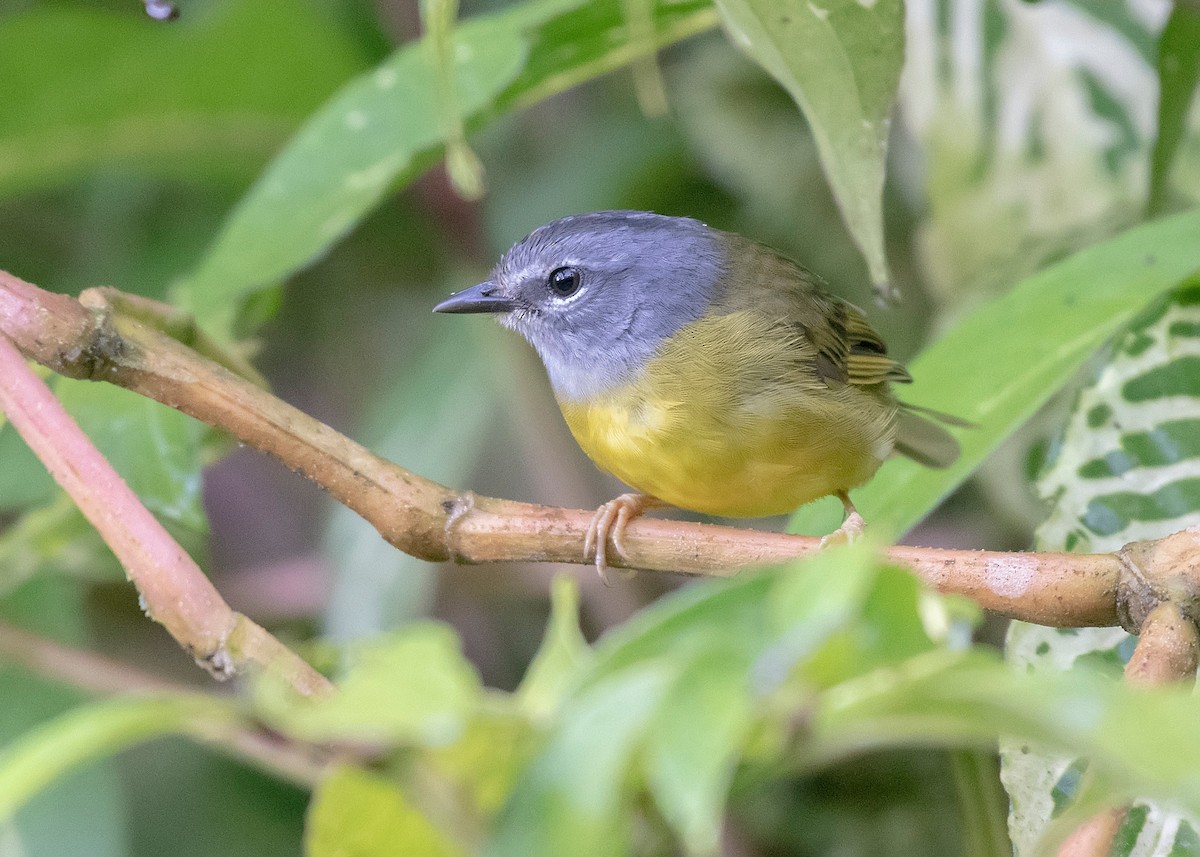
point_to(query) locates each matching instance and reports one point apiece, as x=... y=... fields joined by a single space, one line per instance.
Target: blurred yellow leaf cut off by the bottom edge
x=358 y=814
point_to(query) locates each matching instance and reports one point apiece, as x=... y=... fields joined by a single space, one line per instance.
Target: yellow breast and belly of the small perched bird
x=740 y=428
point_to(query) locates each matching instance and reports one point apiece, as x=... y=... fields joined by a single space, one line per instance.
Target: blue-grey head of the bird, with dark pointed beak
x=597 y=295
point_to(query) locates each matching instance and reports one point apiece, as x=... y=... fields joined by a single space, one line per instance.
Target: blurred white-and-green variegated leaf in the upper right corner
x=1036 y=122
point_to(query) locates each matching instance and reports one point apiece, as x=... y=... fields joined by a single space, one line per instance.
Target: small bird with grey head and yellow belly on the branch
x=704 y=370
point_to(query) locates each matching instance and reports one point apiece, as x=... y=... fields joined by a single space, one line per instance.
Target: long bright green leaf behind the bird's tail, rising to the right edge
x=1003 y=362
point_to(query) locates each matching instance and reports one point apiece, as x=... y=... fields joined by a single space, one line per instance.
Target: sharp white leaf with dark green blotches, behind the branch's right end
x=1127 y=469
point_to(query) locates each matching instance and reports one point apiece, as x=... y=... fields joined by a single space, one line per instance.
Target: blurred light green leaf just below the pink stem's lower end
x=412 y=687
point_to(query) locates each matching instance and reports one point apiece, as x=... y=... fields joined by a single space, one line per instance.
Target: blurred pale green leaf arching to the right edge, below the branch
x=1138 y=741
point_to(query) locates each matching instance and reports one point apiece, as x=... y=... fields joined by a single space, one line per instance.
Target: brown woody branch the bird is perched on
x=88 y=339
